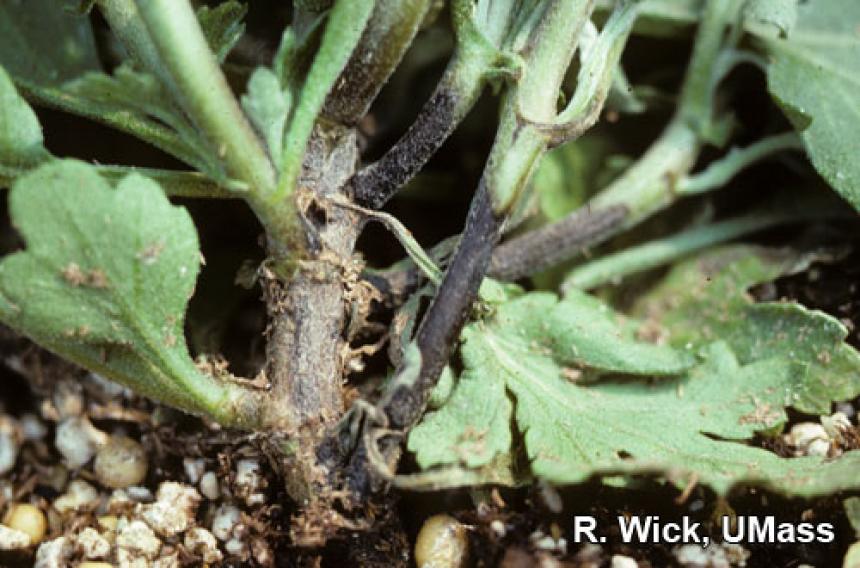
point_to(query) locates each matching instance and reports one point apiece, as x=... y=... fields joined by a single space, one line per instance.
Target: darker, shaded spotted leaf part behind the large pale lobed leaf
x=704 y=299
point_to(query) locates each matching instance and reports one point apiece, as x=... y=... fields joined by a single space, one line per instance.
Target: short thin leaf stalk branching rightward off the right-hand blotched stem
x=723 y=170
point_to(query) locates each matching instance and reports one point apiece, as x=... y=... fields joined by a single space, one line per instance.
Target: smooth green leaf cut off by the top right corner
x=814 y=75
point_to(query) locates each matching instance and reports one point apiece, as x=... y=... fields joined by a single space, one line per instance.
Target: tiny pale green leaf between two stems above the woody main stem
x=268 y=106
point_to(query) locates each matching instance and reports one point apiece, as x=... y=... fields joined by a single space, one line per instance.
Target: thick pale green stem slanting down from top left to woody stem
x=203 y=90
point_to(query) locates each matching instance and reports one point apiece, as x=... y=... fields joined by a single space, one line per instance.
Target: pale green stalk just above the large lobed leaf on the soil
x=614 y=267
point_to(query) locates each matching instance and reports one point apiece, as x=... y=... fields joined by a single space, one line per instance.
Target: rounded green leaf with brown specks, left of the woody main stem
x=105 y=279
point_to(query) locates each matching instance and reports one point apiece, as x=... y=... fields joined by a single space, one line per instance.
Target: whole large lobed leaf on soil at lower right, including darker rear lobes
x=694 y=423
